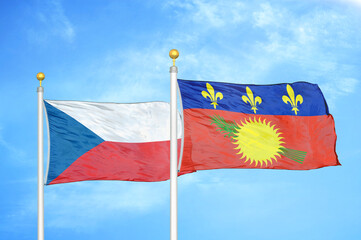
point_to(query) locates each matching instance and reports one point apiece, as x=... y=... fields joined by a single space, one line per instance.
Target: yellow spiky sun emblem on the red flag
x=258 y=141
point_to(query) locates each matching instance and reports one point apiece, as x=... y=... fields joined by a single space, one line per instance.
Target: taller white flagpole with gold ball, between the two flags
x=173 y=148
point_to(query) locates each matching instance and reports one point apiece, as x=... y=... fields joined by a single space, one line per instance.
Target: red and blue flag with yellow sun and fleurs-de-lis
x=281 y=126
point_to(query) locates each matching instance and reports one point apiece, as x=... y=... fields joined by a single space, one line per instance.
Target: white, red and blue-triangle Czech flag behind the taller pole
x=108 y=141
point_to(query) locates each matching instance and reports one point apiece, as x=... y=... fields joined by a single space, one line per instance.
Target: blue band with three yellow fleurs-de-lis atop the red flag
x=297 y=99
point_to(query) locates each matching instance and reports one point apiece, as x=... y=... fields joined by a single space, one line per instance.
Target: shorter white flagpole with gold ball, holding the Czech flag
x=40 y=76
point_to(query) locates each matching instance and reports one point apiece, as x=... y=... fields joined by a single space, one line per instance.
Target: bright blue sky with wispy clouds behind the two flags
x=118 y=51
